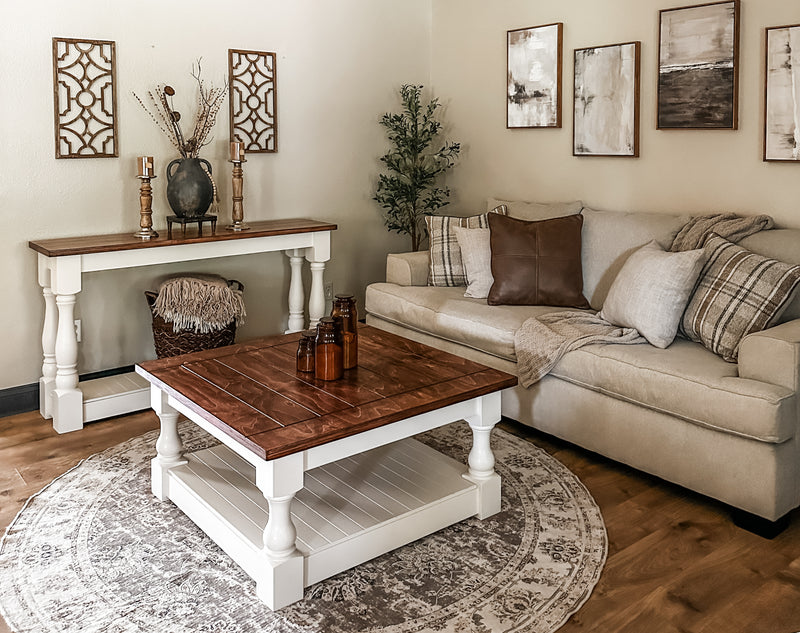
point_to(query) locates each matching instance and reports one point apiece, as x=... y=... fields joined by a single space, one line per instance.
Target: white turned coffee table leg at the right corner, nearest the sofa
x=481 y=458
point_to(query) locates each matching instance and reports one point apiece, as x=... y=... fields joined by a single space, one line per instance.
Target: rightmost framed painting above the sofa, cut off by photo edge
x=782 y=94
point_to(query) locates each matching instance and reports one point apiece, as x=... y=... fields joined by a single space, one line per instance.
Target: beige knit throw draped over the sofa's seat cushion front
x=541 y=341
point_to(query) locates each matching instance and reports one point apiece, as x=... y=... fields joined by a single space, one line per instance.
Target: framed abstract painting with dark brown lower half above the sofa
x=698 y=66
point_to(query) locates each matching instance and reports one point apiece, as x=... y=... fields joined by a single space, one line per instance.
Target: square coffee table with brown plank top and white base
x=312 y=477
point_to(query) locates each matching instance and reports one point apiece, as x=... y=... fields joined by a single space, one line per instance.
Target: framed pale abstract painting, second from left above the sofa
x=606 y=100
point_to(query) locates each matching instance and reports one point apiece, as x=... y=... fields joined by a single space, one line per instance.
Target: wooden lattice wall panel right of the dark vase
x=252 y=81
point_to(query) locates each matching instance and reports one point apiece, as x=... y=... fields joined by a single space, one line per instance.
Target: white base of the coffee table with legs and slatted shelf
x=296 y=520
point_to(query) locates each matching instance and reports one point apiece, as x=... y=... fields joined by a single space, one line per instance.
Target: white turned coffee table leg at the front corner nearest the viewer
x=281 y=579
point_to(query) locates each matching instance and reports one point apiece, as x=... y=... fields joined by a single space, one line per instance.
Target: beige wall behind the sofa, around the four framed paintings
x=696 y=171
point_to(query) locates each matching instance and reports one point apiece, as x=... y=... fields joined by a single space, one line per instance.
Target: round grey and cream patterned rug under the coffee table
x=95 y=551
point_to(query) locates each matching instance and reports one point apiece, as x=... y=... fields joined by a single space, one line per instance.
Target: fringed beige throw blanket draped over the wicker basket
x=199 y=303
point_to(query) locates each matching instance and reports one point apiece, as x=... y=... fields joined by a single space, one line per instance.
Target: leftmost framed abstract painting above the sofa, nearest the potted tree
x=533 y=71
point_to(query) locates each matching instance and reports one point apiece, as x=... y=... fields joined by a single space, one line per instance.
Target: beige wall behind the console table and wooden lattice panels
x=339 y=66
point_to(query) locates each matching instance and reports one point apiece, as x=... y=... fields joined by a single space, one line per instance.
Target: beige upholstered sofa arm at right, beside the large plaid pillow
x=772 y=355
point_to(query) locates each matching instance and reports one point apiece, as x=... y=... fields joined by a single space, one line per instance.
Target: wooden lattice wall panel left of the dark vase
x=85 y=98
